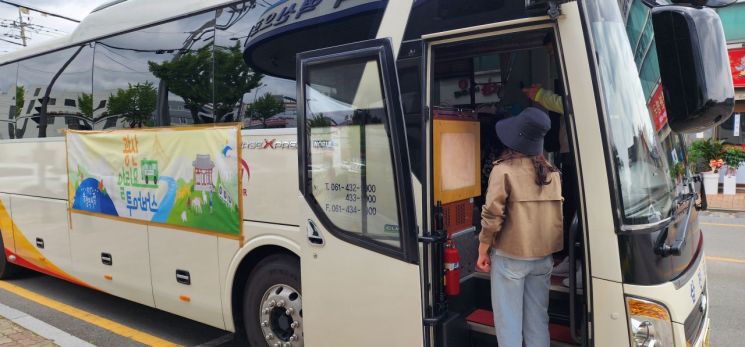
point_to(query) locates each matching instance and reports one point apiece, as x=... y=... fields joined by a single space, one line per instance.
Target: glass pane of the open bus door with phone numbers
x=351 y=167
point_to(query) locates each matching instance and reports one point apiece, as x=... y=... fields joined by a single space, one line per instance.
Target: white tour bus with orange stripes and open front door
x=378 y=285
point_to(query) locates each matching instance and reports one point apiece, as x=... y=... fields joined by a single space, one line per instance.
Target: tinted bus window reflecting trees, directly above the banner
x=156 y=76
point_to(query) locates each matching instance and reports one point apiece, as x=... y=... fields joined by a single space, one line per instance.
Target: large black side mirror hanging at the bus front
x=694 y=67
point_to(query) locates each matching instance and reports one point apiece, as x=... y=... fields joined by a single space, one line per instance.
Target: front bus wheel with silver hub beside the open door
x=272 y=304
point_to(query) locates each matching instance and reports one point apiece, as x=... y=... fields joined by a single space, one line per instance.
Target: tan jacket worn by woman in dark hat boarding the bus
x=520 y=218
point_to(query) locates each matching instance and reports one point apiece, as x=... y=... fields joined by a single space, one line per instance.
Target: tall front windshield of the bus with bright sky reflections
x=641 y=169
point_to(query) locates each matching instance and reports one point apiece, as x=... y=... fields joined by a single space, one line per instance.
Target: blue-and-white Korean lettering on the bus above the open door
x=295 y=11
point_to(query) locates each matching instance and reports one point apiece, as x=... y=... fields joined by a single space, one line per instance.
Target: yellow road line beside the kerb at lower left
x=98 y=321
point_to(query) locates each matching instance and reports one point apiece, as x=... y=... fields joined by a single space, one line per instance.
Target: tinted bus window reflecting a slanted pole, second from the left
x=34 y=76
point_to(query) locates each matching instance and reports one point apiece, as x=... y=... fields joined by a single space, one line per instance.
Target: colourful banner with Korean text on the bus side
x=181 y=177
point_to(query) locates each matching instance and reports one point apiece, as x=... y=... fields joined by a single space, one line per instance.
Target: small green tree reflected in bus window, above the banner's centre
x=135 y=104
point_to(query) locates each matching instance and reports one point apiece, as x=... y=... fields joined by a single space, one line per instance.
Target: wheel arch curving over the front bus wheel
x=243 y=263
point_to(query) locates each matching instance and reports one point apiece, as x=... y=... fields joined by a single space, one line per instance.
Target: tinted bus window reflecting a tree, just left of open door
x=242 y=93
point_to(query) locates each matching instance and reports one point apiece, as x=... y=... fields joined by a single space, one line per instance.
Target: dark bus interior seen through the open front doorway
x=475 y=84
